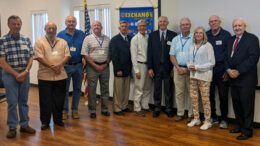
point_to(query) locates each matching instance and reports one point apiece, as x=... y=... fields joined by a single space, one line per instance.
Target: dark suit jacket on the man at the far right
x=244 y=59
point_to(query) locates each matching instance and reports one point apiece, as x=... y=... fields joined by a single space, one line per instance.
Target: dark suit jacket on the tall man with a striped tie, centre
x=155 y=50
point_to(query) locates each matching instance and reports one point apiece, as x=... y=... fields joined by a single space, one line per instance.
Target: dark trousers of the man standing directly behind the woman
x=223 y=96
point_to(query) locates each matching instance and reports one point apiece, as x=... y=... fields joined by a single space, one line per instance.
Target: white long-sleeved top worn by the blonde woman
x=203 y=59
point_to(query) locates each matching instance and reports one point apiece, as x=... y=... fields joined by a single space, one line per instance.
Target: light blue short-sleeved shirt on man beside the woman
x=180 y=48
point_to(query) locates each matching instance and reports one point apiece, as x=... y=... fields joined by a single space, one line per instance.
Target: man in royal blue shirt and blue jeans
x=74 y=67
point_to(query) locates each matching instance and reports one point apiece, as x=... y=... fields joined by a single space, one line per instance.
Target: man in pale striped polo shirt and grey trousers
x=95 y=51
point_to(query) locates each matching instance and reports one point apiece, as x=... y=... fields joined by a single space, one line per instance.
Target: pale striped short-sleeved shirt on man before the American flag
x=96 y=47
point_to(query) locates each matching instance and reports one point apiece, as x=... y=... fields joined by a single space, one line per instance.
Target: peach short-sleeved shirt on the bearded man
x=54 y=55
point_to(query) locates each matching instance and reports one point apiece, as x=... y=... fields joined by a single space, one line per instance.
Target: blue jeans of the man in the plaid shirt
x=16 y=93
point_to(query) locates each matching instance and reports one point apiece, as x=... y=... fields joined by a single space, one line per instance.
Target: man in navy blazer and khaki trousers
x=119 y=48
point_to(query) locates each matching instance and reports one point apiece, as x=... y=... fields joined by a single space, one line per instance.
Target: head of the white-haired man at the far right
x=239 y=26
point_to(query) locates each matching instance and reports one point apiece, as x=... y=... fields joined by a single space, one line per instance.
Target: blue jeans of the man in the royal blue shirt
x=76 y=73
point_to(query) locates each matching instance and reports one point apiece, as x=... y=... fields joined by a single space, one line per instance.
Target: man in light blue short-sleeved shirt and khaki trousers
x=178 y=55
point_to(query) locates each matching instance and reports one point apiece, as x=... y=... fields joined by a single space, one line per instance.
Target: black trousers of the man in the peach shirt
x=52 y=97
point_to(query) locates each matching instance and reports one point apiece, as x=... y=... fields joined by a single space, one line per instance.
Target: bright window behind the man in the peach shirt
x=39 y=19
